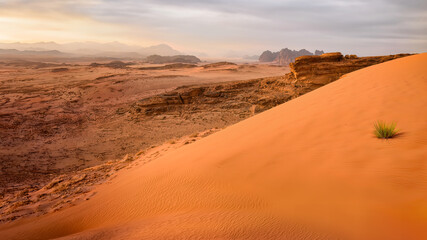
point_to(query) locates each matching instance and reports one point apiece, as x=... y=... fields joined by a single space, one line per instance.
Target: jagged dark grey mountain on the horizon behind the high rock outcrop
x=285 y=56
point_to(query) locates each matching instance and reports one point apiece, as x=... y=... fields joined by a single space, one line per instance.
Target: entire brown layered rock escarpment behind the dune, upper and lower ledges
x=237 y=100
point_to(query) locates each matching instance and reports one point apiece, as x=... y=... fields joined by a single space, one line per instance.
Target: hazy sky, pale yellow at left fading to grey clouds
x=224 y=27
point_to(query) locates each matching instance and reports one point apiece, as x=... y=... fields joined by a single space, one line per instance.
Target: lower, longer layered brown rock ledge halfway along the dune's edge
x=235 y=99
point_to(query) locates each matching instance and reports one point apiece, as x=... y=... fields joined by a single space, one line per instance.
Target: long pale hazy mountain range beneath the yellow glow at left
x=112 y=49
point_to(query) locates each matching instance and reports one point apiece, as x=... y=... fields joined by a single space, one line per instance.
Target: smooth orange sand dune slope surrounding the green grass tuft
x=308 y=169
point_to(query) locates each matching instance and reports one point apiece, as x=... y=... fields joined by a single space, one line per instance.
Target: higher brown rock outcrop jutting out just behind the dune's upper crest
x=315 y=71
